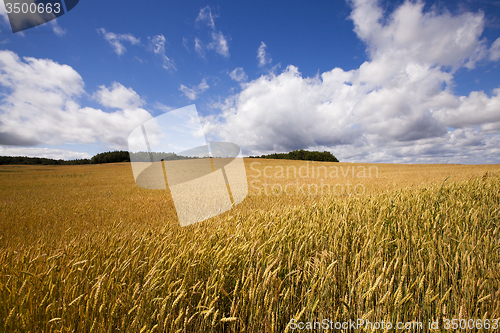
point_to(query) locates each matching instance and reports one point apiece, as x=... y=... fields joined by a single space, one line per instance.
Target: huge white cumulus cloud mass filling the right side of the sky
x=398 y=106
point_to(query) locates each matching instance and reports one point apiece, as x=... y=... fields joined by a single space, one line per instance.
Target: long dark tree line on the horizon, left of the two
x=107 y=157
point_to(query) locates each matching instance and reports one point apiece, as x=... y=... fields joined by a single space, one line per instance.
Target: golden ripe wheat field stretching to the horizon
x=83 y=249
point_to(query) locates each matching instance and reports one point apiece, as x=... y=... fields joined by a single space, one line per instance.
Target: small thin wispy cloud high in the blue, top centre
x=218 y=42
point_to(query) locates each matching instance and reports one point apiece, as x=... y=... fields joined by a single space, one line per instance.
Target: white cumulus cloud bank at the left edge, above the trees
x=39 y=105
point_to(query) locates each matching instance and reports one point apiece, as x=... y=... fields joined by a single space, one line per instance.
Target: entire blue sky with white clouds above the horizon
x=370 y=81
